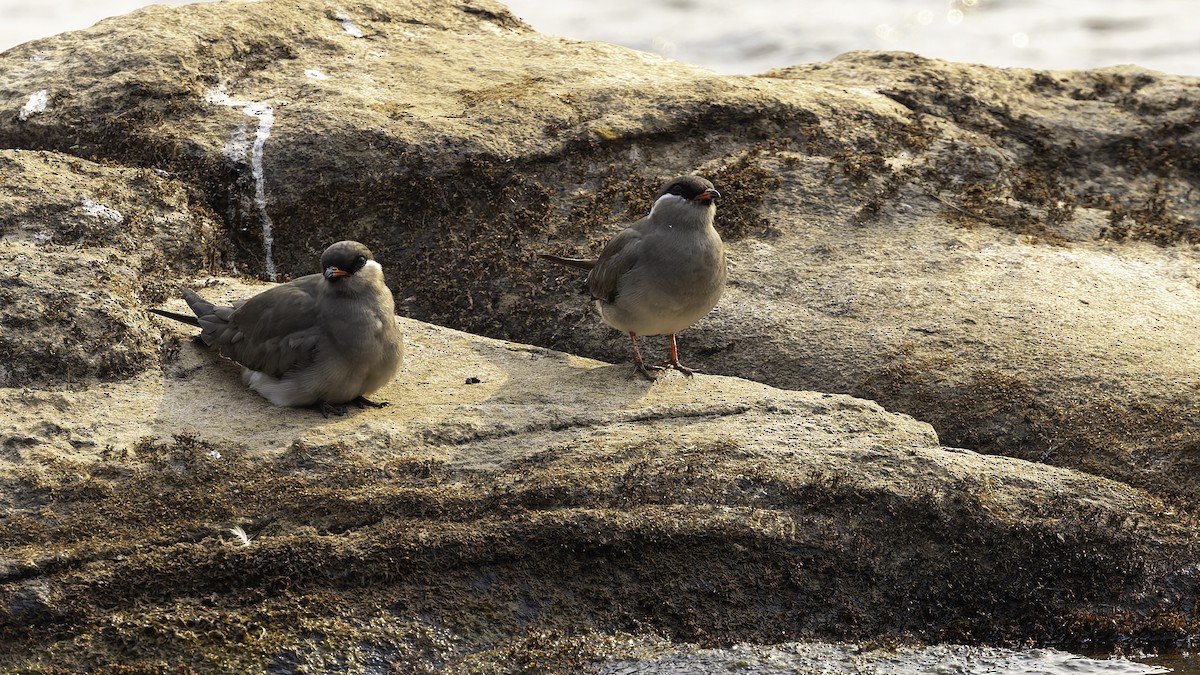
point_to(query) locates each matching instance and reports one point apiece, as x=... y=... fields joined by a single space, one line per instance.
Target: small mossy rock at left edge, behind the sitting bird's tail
x=85 y=249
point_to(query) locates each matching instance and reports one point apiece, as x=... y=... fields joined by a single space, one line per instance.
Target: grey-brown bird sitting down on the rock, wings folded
x=321 y=341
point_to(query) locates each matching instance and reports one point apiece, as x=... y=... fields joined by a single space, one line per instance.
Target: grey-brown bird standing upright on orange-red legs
x=663 y=273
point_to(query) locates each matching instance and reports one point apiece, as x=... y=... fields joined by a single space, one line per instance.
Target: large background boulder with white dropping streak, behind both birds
x=1004 y=253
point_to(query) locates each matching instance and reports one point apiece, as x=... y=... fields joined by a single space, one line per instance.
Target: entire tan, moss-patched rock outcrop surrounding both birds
x=1007 y=255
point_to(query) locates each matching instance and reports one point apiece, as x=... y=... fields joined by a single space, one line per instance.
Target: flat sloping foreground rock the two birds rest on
x=530 y=503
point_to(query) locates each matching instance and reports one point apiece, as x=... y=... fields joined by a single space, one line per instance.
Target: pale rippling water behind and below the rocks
x=752 y=37
